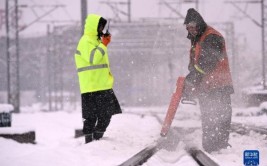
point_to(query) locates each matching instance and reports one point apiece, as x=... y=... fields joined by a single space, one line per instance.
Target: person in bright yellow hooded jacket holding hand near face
x=99 y=102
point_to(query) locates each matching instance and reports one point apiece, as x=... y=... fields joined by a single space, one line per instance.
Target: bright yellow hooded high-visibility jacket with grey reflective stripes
x=91 y=59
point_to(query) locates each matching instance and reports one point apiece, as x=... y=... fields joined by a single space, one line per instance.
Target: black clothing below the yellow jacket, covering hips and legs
x=97 y=110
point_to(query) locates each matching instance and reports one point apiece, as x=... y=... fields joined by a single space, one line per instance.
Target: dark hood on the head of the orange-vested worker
x=193 y=16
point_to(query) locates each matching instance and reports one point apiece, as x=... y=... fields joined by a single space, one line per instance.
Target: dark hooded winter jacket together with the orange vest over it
x=208 y=67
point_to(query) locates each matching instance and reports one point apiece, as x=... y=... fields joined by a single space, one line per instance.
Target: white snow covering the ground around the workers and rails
x=127 y=134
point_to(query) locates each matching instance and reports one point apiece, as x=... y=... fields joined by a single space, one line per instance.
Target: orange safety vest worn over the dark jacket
x=220 y=76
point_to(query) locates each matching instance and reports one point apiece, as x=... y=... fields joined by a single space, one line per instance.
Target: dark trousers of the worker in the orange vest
x=216 y=113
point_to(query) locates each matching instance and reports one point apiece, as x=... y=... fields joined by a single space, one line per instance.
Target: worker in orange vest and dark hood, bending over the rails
x=209 y=80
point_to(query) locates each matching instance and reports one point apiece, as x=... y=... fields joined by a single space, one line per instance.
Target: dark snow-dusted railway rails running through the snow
x=198 y=155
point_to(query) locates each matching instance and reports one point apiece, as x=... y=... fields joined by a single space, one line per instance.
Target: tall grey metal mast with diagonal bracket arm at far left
x=12 y=32
